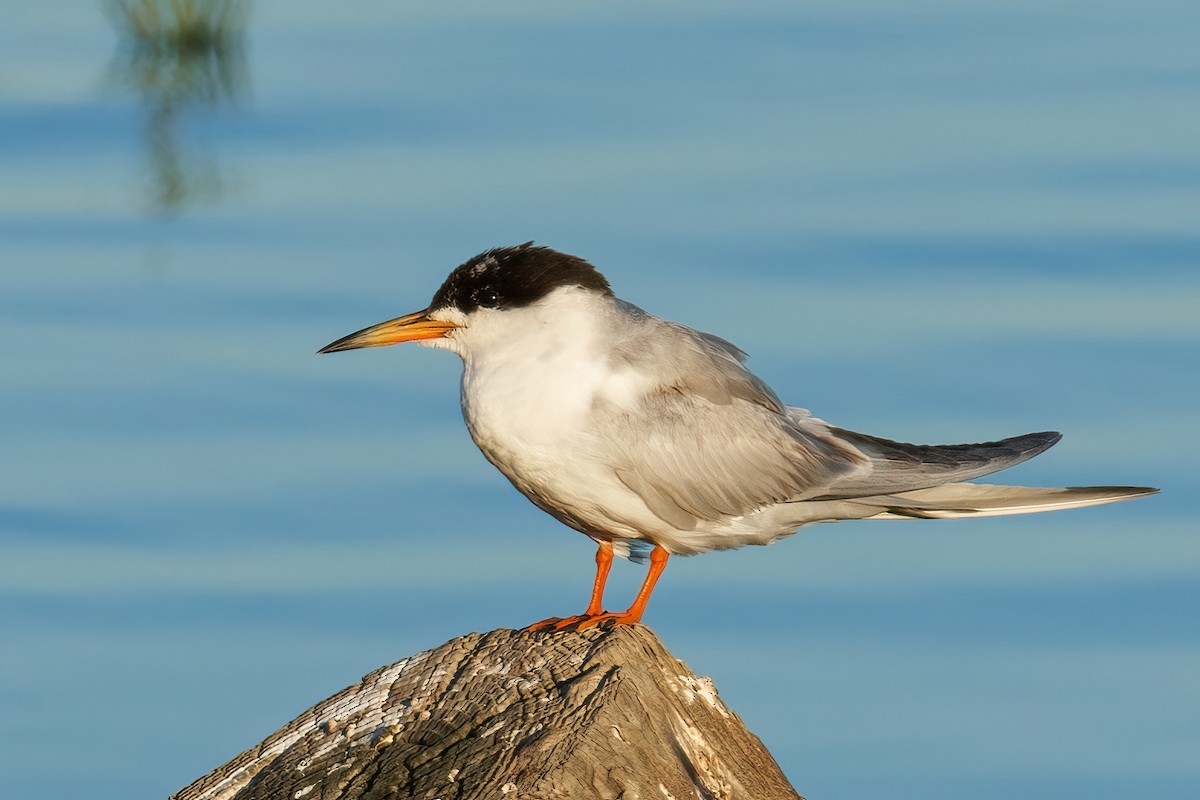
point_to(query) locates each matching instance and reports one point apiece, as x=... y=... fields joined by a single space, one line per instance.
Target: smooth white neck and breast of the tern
x=531 y=381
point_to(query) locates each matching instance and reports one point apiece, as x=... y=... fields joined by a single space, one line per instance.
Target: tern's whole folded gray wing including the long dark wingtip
x=711 y=441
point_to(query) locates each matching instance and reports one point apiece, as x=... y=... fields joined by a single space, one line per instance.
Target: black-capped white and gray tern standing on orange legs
x=647 y=436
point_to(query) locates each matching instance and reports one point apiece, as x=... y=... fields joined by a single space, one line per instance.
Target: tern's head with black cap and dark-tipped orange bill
x=495 y=284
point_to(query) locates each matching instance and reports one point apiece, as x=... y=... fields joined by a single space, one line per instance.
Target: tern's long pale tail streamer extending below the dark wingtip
x=986 y=501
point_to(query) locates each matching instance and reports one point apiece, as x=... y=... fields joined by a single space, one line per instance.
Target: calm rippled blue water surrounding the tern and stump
x=937 y=222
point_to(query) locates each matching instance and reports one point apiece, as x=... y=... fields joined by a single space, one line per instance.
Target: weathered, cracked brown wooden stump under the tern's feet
x=514 y=714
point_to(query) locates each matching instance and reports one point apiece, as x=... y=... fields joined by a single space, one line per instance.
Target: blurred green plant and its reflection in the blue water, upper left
x=179 y=56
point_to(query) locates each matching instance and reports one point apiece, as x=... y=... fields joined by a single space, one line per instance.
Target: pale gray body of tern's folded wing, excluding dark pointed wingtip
x=711 y=441
